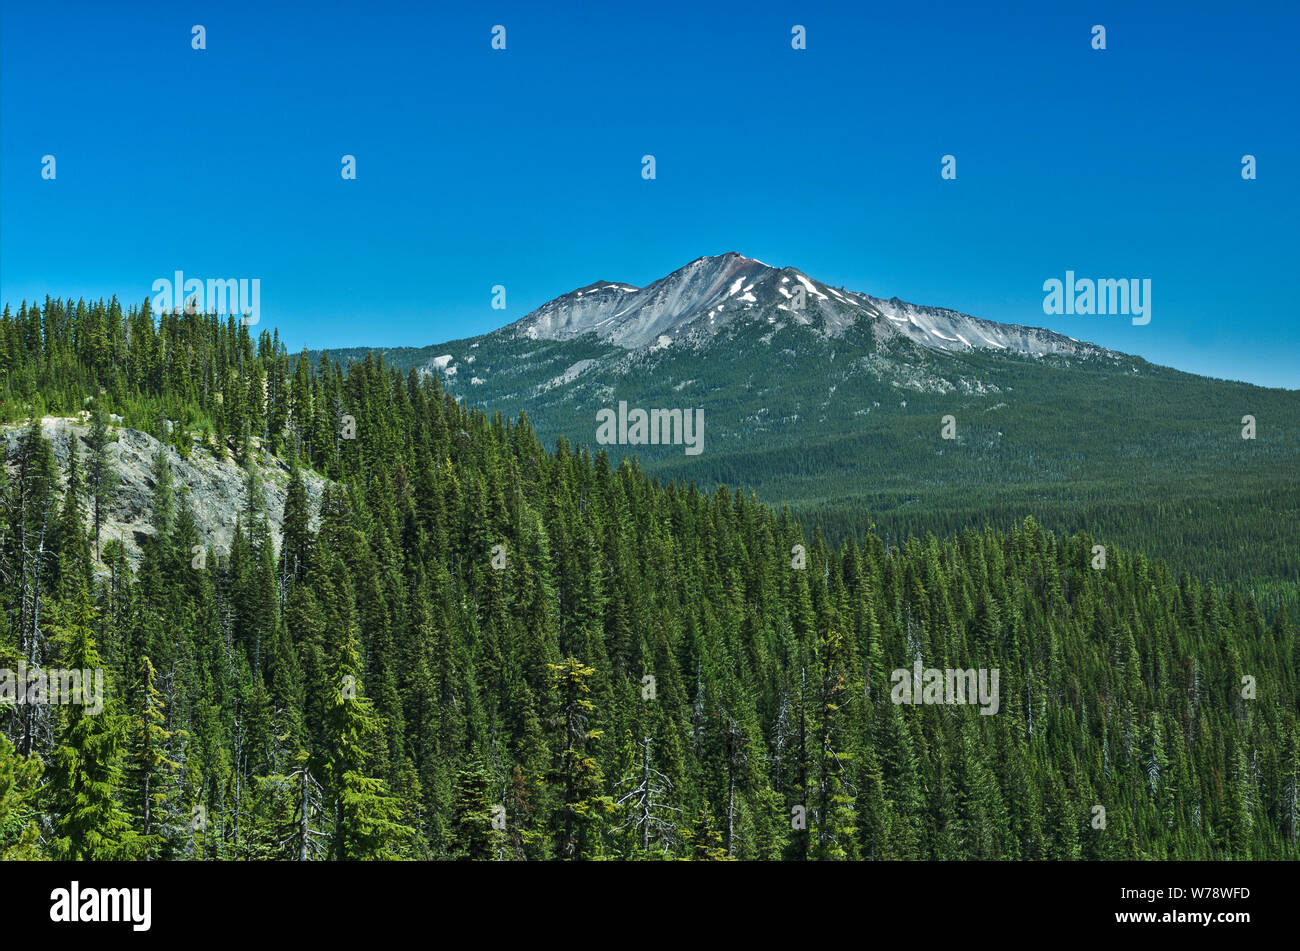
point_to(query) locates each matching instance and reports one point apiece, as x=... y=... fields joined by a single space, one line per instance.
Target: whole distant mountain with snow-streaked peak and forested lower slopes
x=835 y=402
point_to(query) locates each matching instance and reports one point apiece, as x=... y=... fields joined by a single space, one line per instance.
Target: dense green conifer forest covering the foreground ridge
x=487 y=650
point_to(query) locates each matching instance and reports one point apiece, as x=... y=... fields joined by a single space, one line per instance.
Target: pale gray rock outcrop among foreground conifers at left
x=214 y=489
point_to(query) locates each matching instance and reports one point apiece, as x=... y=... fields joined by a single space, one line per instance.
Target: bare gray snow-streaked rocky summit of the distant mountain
x=712 y=293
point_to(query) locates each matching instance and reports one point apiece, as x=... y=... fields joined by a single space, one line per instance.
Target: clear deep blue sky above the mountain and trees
x=523 y=168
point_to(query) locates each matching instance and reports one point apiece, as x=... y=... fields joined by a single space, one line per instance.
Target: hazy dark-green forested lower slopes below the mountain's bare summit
x=846 y=431
